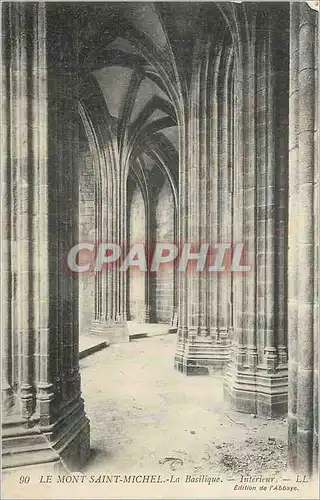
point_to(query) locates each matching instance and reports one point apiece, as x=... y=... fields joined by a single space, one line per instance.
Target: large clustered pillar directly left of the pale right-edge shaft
x=256 y=379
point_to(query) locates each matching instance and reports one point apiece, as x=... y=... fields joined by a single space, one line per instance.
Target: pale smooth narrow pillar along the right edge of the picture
x=303 y=273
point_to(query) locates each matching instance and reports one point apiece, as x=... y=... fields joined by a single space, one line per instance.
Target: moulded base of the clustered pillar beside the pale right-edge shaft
x=260 y=393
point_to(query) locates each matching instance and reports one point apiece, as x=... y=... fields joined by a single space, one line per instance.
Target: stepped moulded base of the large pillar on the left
x=62 y=446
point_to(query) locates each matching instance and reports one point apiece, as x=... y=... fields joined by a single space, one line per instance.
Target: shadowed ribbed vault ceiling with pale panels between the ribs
x=136 y=51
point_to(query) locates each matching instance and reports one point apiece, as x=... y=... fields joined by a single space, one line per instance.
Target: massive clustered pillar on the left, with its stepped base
x=43 y=415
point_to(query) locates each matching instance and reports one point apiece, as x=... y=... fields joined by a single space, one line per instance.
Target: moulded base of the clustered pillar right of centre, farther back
x=202 y=356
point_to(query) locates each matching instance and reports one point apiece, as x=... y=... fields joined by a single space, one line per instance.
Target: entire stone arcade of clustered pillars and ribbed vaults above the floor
x=198 y=120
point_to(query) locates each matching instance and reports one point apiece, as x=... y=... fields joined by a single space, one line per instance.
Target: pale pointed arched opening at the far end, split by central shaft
x=151 y=220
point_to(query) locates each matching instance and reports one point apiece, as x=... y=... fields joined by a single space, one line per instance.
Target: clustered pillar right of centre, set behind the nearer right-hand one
x=203 y=327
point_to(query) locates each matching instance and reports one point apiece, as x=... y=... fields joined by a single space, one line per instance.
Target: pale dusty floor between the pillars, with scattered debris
x=142 y=412
